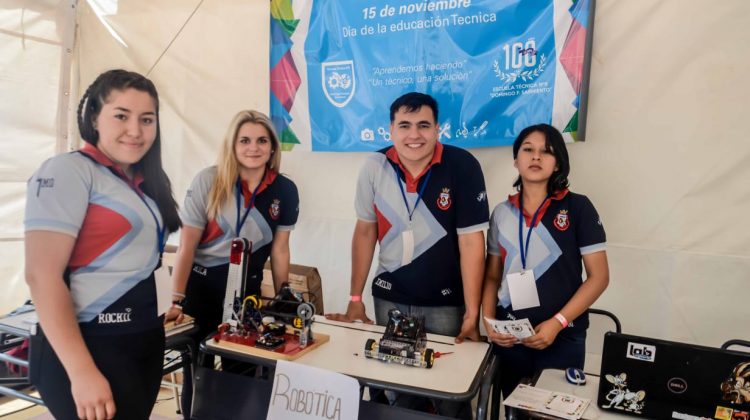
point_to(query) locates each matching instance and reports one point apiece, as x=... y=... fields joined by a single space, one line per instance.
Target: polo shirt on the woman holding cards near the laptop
x=567 y=228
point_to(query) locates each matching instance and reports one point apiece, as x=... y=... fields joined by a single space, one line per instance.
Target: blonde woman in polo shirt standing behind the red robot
x=244 y=195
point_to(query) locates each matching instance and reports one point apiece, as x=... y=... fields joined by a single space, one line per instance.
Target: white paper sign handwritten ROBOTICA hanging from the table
x=304 y=392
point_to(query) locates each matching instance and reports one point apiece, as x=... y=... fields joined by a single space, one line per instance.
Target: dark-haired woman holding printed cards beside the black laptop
x=536 y=243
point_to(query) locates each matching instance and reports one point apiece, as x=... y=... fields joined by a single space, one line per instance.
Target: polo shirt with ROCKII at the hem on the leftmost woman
x=84 y=195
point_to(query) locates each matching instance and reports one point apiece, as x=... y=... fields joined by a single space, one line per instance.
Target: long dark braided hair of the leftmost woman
x=156 y=183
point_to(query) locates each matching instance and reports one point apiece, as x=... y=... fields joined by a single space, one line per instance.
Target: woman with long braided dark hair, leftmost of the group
x=96 y=222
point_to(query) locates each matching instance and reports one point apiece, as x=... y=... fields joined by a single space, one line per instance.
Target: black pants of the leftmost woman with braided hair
x=132 y=364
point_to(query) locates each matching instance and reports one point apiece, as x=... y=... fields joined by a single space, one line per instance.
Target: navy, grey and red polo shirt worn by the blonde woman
x=276 y=207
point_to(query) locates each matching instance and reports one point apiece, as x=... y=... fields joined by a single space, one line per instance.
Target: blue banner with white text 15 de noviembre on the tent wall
x=494 y=66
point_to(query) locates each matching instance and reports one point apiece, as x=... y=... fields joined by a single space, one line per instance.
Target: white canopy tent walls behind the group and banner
x=665 y=160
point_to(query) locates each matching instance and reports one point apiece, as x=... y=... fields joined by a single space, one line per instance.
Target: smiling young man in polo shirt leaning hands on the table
x=425 y=203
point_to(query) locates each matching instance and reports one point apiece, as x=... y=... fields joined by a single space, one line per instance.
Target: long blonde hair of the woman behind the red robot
x=227 y=166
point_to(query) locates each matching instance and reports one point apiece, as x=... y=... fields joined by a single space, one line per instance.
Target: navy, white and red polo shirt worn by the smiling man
x=454 y=202
